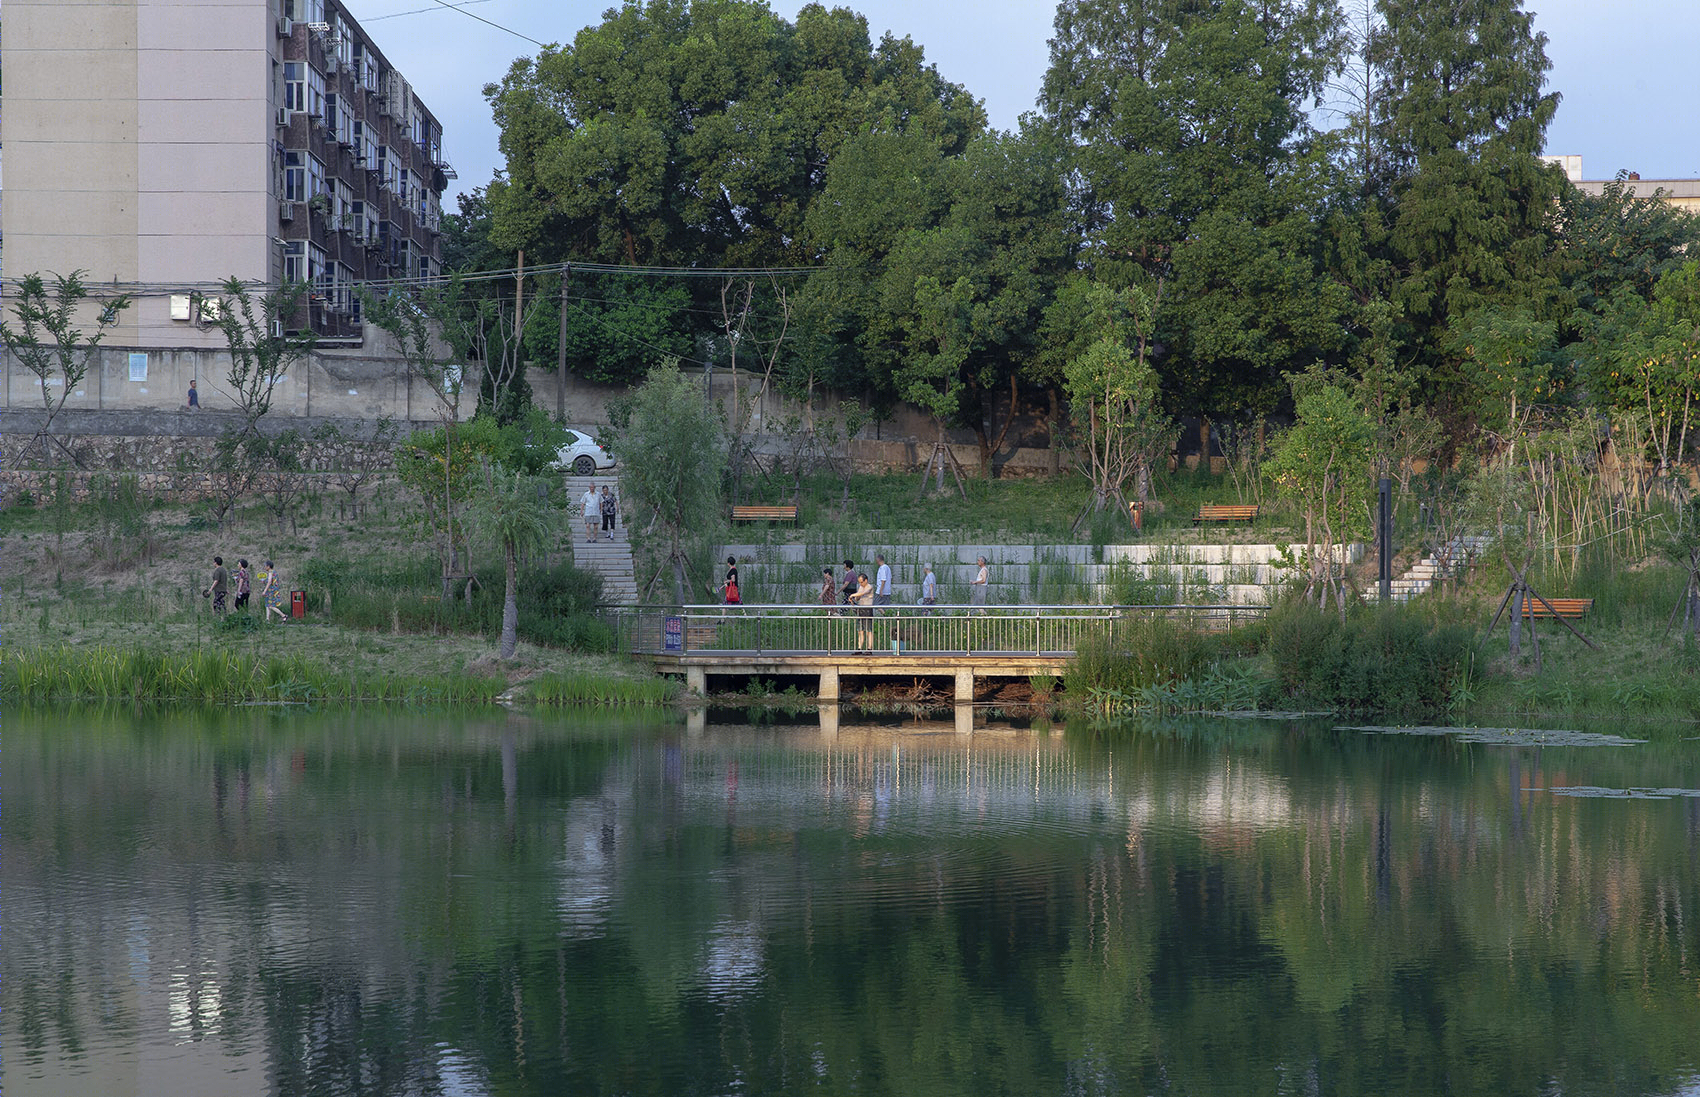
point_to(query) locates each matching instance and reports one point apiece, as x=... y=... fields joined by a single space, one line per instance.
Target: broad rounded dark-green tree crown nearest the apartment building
x=700 y=132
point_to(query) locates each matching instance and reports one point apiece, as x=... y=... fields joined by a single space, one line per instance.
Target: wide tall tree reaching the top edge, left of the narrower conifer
x=1194 y=164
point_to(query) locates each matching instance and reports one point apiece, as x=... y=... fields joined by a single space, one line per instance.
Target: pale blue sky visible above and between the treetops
x=1619 y=67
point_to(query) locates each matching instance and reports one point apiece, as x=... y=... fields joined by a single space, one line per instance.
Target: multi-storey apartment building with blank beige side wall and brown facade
x=164 y=147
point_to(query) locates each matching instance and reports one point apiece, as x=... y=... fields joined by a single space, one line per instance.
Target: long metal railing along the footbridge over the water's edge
x=955 y=630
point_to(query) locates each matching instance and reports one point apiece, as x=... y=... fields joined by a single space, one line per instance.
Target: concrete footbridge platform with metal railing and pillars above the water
x=827 y=642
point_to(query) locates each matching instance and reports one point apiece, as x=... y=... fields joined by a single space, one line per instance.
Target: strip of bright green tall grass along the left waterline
x=213 y=676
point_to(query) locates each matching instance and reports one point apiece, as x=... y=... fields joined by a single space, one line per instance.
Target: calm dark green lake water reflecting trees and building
x=419 y=904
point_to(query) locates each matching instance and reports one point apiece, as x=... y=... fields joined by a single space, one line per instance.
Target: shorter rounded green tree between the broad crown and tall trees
x=941 y=270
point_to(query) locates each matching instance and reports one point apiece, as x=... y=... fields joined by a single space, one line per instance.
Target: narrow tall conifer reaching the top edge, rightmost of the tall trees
x=1466 y=205
